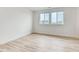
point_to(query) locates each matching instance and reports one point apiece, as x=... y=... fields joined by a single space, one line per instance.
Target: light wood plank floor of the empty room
x=41 y=43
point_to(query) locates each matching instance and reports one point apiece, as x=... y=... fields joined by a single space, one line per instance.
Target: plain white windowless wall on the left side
x=14 y=23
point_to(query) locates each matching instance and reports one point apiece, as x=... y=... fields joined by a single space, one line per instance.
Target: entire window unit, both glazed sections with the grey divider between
x=52 y=18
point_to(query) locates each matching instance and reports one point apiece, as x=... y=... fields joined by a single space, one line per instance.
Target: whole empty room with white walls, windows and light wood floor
x=39 y=29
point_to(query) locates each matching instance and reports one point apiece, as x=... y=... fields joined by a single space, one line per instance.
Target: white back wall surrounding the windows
x=68 y=29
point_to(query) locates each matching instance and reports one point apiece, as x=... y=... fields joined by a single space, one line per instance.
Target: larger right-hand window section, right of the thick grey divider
x=57 y=18
